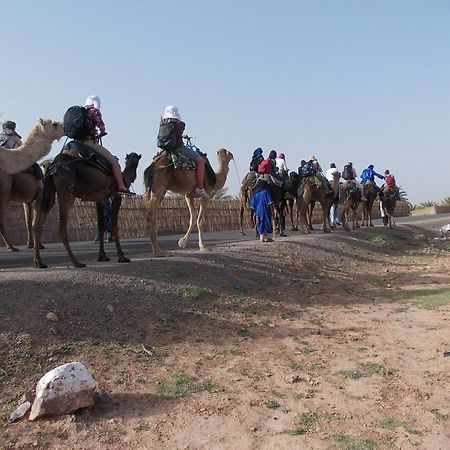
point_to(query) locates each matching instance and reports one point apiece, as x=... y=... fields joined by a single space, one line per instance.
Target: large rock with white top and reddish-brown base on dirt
x=64 y=389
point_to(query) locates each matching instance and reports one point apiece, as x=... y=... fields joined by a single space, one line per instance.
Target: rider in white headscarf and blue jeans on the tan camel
x=172 y=116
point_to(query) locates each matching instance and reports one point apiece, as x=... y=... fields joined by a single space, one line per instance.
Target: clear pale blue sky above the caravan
x=365 y=81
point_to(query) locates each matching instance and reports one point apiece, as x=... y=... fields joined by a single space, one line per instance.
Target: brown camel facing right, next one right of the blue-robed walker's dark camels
x=314 y=193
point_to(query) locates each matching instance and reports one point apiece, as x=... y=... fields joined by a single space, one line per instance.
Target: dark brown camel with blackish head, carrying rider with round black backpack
x=72 y=177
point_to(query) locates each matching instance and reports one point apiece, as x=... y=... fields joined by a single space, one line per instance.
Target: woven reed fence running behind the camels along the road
x=173 y=218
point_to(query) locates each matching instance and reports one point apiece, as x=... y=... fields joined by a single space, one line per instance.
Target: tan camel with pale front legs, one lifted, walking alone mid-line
x=161 y=177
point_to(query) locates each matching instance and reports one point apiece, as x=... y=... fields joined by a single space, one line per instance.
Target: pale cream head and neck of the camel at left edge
x=37 y=144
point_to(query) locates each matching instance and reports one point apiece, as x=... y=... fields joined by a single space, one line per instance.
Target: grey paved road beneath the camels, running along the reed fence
x=55 y=255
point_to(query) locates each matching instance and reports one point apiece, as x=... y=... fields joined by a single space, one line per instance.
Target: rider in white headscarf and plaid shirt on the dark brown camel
x=96 y=129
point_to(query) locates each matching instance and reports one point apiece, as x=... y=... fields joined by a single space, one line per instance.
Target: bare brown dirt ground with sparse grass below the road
x=319 y=342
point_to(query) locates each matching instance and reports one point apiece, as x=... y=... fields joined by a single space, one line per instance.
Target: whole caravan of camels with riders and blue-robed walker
x=86 y=170
